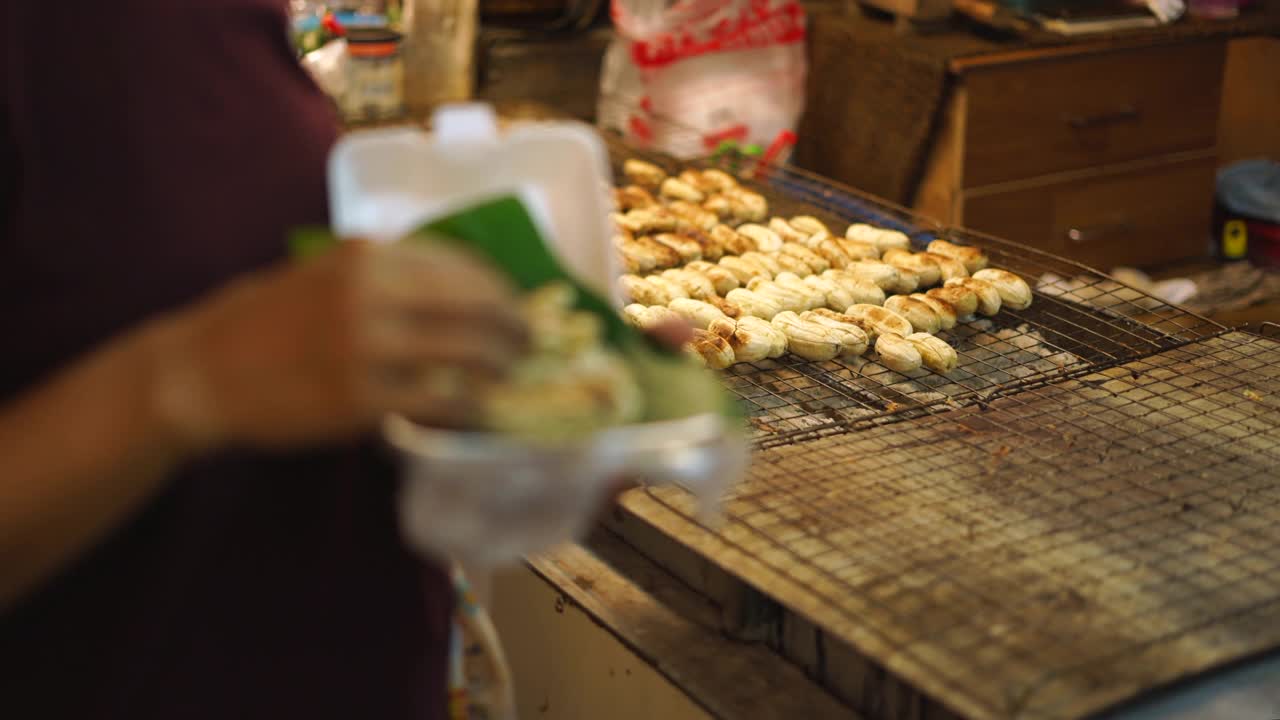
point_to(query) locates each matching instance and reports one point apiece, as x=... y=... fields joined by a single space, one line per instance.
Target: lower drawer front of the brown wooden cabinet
x=1132 y=218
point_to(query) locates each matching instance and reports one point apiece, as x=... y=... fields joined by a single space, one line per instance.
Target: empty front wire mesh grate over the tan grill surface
x=1052 y=553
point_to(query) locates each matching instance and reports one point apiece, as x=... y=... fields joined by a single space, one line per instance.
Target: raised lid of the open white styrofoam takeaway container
x=385 y=184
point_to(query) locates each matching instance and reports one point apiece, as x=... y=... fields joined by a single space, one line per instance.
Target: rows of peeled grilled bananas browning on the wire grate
x=761 y=290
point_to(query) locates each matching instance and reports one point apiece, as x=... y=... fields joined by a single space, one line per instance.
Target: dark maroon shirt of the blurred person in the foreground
x=153 y=151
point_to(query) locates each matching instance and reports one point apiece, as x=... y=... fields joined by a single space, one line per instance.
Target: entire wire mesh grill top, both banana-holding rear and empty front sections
x=1086 y=509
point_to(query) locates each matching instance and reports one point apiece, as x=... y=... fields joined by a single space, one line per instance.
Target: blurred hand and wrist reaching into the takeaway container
x=321 y=350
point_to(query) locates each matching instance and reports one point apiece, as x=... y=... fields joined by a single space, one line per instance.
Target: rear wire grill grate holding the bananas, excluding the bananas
x=1081 y=321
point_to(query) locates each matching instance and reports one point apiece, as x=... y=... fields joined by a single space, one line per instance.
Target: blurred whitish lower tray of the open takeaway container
x=490 y=500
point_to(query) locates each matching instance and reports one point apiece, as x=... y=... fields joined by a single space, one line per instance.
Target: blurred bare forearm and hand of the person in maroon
x=300 y=354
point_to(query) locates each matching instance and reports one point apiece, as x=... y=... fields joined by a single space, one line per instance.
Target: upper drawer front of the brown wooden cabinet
x=1037 y=119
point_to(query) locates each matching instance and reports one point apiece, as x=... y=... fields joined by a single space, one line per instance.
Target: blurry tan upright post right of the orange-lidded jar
x=438 y=52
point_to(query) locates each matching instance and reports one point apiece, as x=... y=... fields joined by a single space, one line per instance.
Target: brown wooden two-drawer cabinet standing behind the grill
x=1103 y=156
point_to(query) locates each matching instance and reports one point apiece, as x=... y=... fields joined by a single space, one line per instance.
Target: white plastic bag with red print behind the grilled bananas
x=689 y=78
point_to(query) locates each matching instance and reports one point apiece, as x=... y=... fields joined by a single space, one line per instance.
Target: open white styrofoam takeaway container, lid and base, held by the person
x=481 y=498
